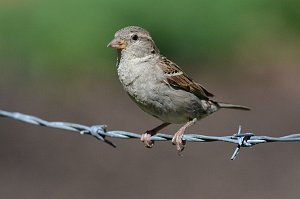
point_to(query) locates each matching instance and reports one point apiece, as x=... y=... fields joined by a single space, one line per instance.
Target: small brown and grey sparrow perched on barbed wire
x=159 y=87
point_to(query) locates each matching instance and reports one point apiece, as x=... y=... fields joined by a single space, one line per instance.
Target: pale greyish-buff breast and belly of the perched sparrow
x=146 y=85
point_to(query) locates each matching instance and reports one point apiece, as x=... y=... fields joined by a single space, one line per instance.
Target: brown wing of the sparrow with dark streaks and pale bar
x=179 y=80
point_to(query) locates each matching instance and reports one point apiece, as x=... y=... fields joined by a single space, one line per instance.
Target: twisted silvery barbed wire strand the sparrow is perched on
x=100 y=132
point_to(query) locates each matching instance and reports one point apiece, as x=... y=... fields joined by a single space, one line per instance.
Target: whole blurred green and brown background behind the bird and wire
x=54 y=64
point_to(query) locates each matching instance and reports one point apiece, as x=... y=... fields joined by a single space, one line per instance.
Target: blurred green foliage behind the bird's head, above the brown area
x=43 y=35
